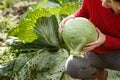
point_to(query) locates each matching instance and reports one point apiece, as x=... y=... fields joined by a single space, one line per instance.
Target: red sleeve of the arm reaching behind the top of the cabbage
x=83 y=11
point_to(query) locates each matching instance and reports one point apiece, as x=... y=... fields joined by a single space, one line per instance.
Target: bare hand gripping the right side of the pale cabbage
x=101 y=39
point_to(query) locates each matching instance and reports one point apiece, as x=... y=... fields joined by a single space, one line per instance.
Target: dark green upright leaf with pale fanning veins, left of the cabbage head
x=47 y=30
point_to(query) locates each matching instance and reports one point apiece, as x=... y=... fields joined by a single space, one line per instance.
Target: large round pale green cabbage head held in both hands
x=77 y=32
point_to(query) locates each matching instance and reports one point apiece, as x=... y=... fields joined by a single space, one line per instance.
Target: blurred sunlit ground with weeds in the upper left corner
x=10 y=12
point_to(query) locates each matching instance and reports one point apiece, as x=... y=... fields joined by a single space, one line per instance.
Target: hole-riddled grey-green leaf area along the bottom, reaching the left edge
x=40 y=65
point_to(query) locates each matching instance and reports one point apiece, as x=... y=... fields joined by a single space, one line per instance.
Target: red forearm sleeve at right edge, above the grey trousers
x=111 y=44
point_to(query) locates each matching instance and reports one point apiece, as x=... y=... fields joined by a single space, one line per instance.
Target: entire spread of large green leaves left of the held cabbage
x=40 y=53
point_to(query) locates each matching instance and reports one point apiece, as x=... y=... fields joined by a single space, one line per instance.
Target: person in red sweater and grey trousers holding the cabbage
x=104 y=53
